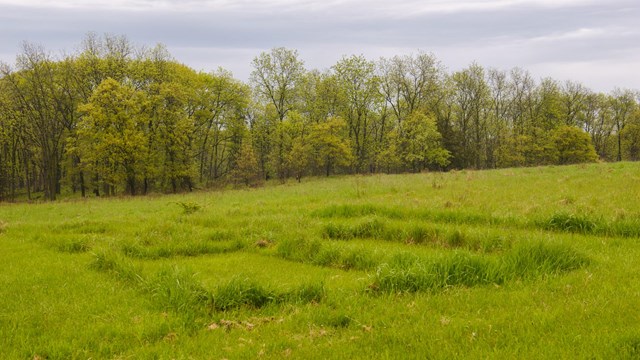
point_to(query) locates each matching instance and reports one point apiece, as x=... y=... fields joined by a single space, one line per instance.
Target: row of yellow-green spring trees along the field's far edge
x=114 y=118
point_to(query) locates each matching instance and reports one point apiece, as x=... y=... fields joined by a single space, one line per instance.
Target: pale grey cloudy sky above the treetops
x=595 y=42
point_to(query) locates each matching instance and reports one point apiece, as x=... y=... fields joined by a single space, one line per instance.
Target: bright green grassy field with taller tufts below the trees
x=516 y=263
